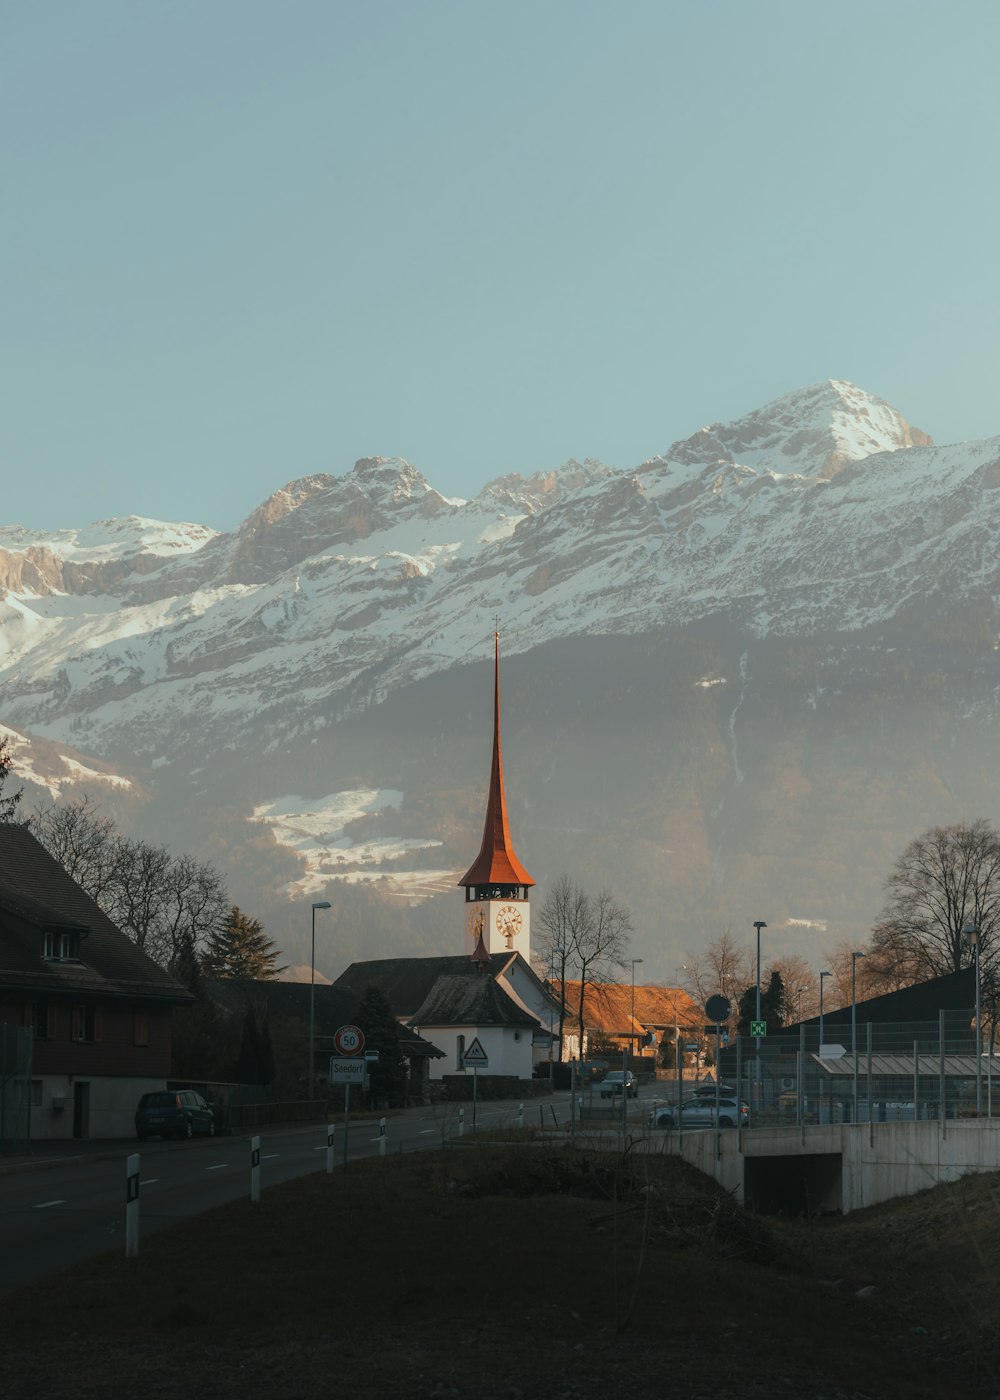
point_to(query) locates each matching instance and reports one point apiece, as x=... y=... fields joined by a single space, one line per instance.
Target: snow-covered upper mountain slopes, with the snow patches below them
x=174 y=649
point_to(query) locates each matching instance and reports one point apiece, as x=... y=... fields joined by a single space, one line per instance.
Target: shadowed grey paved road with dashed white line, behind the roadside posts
x=67 y=1203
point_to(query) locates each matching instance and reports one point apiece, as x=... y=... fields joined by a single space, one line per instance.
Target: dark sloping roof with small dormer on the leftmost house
x=37 y=895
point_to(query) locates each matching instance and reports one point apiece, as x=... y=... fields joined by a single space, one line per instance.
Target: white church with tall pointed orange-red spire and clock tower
x=487 y=999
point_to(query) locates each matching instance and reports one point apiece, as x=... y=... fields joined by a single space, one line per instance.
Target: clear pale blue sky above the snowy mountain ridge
x=246 y=240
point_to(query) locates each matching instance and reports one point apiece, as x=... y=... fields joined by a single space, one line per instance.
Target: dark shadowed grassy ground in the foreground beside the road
x=520 y=1275
